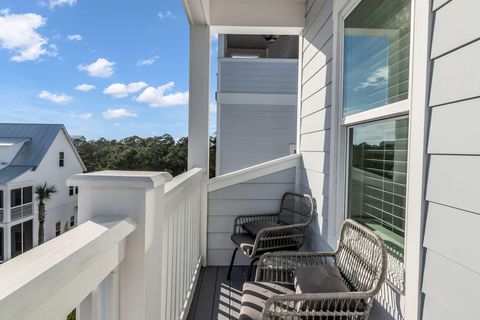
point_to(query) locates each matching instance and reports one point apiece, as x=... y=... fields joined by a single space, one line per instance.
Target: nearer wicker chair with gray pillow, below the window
x=361 y=260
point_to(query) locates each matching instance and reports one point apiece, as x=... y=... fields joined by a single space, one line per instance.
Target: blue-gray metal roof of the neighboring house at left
x=39 y=138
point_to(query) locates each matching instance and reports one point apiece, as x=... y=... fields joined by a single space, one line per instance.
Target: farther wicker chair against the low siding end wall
x=284 y=230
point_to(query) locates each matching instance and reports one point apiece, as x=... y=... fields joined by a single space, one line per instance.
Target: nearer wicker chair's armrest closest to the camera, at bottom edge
x=339 y=304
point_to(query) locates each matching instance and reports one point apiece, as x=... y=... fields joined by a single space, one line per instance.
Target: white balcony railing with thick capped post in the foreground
x=136 y=253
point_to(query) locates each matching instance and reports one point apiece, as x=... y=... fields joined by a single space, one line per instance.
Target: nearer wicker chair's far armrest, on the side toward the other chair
x=280 y=266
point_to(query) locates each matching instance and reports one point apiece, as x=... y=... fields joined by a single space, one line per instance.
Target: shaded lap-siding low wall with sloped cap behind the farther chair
x=262 y=195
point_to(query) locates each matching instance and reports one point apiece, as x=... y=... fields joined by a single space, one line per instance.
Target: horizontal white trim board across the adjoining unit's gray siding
x=281 y=99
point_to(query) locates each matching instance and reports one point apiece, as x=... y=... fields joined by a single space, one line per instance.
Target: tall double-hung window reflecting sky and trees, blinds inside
x=376 y=72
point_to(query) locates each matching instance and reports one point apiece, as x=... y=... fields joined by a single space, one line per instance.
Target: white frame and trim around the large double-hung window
x=419 y=79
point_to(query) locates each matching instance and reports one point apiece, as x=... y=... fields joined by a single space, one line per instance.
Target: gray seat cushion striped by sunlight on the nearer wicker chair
x=256 y=293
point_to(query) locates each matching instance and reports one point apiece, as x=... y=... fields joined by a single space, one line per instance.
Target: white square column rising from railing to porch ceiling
x=199 y=100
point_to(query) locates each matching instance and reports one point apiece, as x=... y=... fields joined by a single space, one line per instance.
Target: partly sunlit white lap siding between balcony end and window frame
x=316 y=95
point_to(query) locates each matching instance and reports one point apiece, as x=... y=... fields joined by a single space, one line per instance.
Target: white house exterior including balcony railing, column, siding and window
x=387 y=134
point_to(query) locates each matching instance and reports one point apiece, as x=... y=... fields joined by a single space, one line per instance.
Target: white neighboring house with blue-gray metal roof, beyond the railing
x=30 y=155
